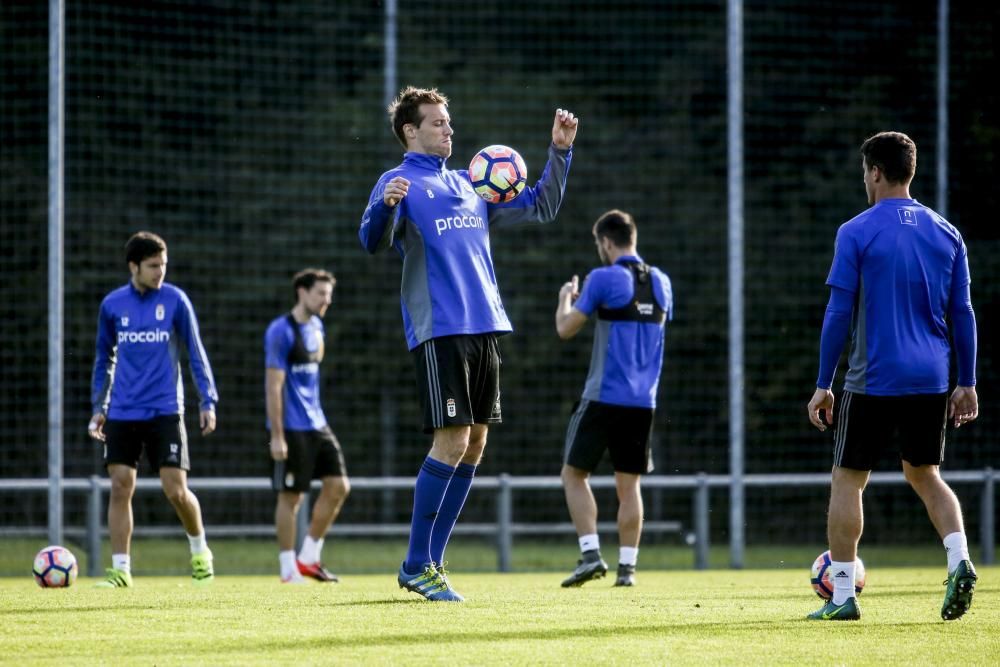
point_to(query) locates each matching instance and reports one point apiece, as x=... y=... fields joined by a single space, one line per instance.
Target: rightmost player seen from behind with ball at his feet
x=900 y=274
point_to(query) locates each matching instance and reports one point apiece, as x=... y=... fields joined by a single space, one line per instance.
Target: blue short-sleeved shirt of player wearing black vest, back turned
x=628 y=355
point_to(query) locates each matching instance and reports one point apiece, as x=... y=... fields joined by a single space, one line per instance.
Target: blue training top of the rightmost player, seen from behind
x=906 y=270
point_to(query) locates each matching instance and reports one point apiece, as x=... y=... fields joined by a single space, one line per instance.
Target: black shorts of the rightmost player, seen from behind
x=865 y=426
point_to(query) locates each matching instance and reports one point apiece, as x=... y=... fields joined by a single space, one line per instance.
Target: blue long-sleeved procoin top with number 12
x=137 y=368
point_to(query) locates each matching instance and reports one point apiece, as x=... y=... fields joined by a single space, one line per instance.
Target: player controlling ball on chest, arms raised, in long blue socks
x=452 y=311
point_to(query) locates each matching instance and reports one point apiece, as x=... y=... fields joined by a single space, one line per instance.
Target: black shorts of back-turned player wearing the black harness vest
x=625 y=432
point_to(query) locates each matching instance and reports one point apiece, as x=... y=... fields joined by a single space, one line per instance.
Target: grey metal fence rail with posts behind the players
x=504 y=486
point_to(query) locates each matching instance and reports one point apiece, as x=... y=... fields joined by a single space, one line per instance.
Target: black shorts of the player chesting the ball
x=458 y=378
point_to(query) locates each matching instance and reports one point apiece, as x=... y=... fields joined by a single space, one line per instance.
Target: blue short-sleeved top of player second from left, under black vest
x=300 y=361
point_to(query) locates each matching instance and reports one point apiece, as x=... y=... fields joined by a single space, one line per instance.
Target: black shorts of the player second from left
x=311 y=455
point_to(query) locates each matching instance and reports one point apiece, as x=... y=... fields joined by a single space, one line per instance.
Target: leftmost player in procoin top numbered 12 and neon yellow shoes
x=138 y=399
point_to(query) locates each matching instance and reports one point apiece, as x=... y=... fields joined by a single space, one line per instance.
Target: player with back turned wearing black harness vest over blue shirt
x=632 y=302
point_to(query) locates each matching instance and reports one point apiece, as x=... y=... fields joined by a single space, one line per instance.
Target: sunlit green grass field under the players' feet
x=670 y=617
